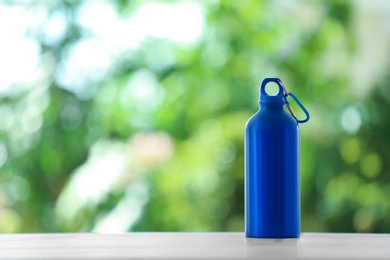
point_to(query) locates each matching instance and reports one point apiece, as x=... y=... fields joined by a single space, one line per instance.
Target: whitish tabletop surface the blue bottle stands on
x=192 y=246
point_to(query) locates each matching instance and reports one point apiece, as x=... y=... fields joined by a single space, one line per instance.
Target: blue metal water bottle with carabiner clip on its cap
x=272 y=194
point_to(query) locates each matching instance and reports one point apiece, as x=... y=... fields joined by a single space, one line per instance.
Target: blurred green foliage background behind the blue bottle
x=129 y=115
